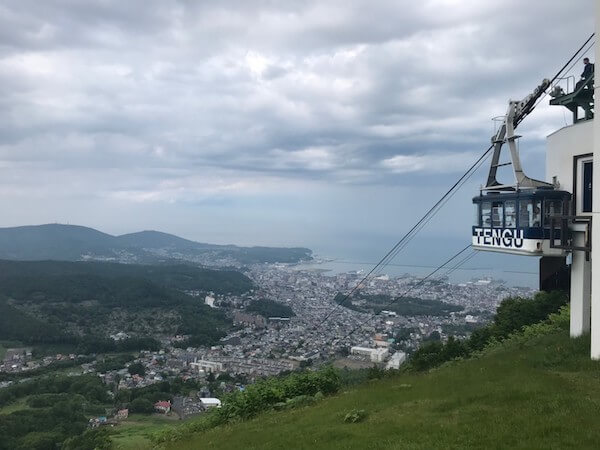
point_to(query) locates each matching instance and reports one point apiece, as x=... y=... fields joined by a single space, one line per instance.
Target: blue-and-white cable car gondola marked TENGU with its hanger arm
x=517 y=218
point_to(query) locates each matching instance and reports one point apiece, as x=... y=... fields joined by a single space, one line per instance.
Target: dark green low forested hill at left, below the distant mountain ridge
x=82 y=303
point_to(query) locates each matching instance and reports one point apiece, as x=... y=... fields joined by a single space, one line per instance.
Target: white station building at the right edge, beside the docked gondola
x=570 y=163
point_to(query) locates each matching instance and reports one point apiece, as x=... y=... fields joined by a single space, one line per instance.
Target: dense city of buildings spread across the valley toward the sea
x=319 y=326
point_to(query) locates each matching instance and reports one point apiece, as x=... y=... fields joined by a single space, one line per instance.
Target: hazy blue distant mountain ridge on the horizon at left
x=75 y=243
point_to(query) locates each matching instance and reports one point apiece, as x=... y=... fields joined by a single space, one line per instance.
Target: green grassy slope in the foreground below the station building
x=544 y=393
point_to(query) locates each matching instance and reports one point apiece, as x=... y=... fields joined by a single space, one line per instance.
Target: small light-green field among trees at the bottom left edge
x=133 y=433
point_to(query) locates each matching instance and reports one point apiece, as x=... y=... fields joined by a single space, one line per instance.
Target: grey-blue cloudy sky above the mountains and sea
x=327 y=124
